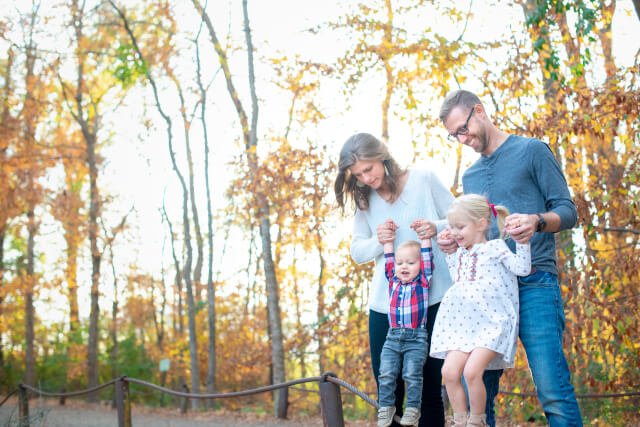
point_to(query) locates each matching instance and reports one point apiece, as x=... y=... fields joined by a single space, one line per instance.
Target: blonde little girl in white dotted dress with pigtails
x=477 y=325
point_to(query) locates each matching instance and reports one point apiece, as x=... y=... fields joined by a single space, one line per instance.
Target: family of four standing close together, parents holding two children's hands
x=455 y=310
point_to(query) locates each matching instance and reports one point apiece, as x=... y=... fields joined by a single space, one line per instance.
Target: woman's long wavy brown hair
x=363 y=146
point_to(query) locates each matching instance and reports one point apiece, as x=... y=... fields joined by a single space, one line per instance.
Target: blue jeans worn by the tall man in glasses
x=541 y=328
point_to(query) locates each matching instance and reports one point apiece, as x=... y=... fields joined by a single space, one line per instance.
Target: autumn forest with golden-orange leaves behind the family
x=167 y=168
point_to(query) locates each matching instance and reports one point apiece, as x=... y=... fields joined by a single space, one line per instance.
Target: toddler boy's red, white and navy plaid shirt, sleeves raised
x=408 y=302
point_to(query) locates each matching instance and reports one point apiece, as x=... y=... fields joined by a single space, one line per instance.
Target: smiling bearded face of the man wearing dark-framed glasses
x=464 y=123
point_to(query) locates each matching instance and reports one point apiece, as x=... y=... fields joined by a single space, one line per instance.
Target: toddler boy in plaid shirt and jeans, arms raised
x=409 y=273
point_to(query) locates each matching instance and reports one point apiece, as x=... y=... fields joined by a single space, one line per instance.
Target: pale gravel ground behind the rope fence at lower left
x=80 y=414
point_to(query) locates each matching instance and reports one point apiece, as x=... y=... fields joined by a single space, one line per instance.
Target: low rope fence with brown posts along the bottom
x=329 y=388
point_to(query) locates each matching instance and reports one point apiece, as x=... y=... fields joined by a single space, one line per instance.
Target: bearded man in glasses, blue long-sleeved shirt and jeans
x=523 y=175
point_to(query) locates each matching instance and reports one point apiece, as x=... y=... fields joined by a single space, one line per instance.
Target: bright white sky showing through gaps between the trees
x=138 y=171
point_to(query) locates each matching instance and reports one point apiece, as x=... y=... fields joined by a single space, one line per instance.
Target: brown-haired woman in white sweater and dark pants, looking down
x=417 y=202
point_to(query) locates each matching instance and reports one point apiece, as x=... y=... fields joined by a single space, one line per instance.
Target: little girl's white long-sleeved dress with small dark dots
x=481 y=308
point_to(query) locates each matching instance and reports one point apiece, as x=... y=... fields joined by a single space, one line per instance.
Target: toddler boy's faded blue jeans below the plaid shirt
x=408 y=348
